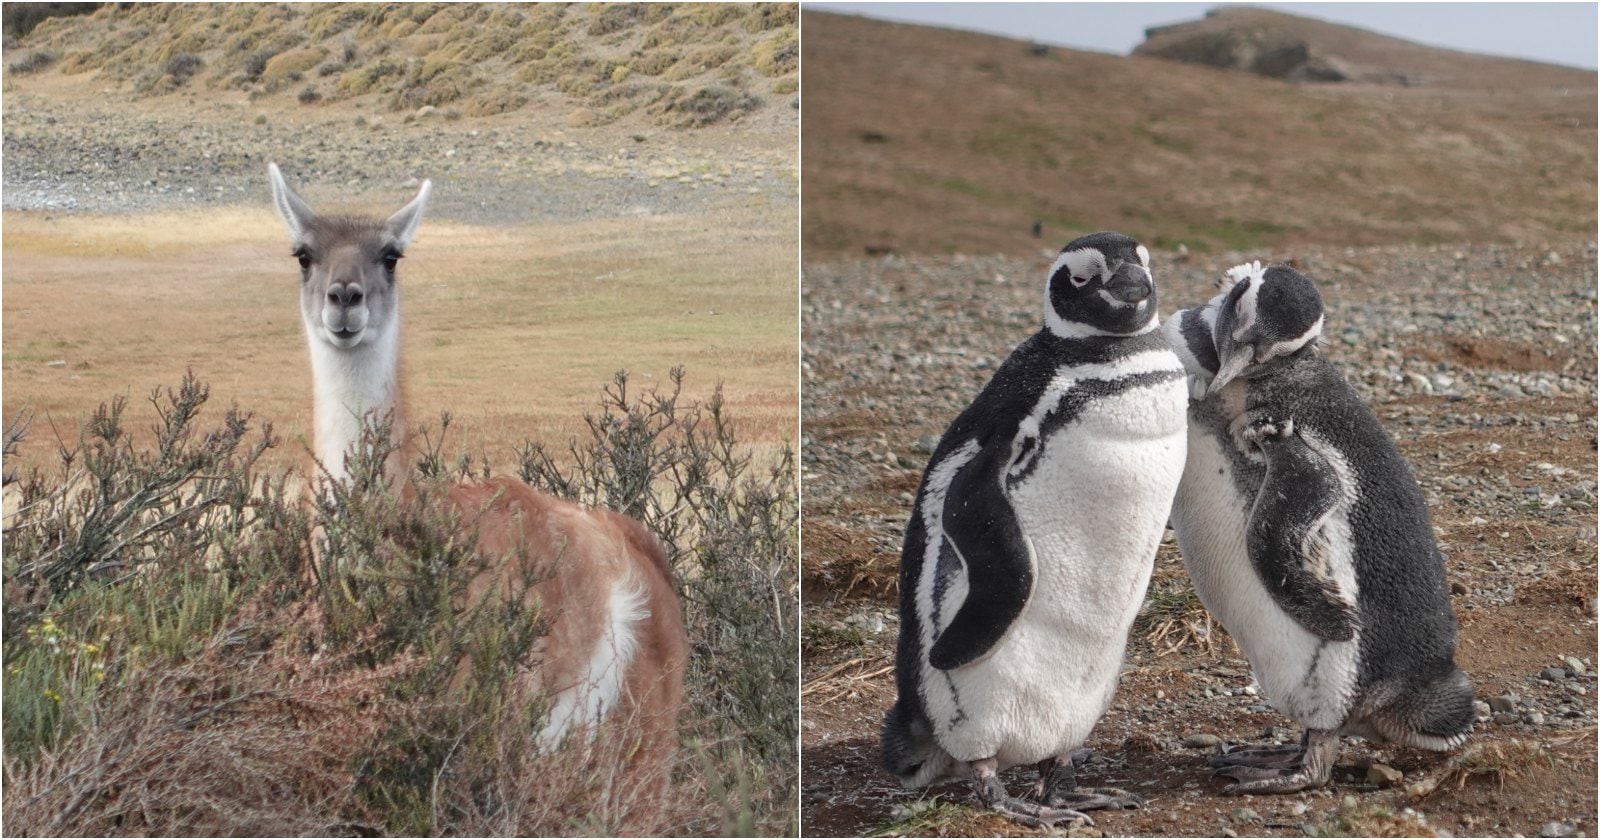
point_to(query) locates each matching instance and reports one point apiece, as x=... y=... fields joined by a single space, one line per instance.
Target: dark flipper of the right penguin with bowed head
x=1287 y=543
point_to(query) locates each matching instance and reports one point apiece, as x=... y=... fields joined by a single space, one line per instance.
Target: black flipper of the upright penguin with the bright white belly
x=999 y=562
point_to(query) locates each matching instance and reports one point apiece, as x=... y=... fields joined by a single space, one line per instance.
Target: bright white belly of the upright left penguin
x=1094 y=511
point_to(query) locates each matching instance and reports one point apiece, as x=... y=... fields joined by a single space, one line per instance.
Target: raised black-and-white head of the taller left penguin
x=1102 y=286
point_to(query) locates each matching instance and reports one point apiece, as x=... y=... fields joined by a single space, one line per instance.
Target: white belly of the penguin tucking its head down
x=1303 y=676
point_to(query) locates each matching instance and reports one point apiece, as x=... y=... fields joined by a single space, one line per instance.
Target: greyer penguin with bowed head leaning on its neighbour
x=1308 y=538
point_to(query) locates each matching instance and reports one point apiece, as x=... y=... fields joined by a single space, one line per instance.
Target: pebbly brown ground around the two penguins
x=1482 y=364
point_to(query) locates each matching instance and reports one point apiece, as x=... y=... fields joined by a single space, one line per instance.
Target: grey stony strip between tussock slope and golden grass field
x=73 y=148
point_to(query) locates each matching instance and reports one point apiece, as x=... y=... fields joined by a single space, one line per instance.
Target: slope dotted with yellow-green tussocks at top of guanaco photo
x=686 y=65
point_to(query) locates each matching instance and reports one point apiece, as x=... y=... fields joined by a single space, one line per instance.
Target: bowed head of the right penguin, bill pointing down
x=1263 y=316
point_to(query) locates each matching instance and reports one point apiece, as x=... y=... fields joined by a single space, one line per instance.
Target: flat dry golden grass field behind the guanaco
x=511 y=329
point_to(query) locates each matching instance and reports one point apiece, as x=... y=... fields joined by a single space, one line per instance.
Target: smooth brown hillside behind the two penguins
x=926 y=140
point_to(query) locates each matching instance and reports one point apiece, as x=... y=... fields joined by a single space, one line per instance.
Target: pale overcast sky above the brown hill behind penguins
x=1553 y=33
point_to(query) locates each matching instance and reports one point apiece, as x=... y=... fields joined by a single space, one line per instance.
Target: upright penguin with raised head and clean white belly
x=1033 y=542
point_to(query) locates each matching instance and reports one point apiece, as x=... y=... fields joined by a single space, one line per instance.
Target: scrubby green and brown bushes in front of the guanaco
x=194 y=650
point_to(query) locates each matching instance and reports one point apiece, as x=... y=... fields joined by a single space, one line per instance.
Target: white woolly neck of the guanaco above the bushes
x=351 y=390
